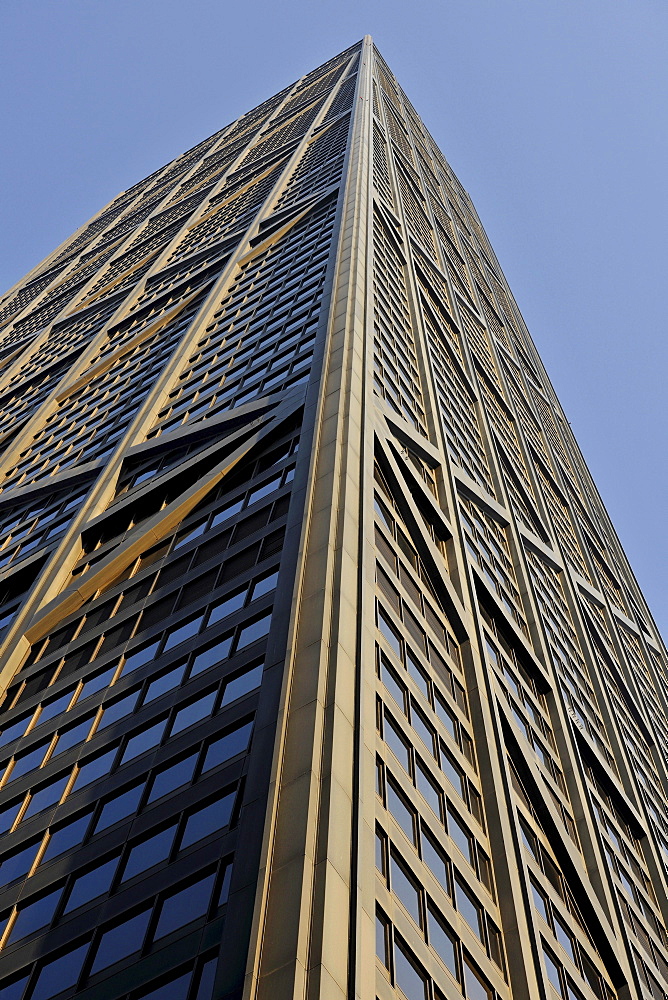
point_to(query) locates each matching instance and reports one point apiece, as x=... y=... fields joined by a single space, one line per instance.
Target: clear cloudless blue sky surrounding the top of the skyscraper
x=553 y=114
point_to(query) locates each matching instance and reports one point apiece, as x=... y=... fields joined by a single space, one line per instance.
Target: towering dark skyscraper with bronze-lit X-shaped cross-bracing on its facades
x=324 y=672
